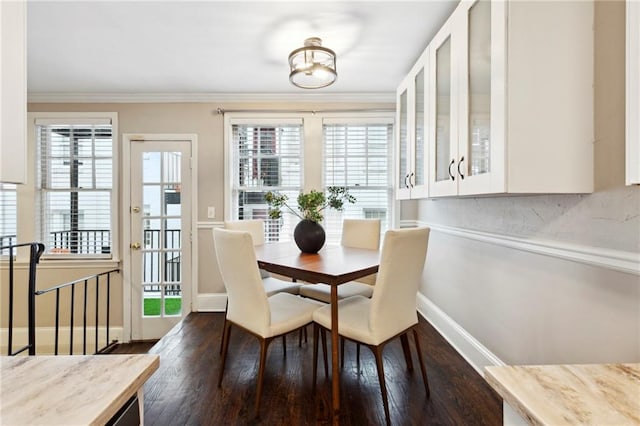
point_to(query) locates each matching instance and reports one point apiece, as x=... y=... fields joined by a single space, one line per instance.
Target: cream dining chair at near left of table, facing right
x=249 y=307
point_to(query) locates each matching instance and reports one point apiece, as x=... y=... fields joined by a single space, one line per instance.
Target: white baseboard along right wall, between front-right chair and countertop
x=476 y=354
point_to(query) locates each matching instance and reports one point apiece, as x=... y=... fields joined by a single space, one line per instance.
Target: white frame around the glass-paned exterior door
x=125 y=201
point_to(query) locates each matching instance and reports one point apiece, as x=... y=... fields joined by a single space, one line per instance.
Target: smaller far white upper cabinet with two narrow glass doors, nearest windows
x=411 y=176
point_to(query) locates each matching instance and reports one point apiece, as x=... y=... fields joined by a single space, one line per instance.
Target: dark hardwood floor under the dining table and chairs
x=184 y=390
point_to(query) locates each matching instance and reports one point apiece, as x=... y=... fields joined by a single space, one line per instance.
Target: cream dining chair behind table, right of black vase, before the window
x=356 y=233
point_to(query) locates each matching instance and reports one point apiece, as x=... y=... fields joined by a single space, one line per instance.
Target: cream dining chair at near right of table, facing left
x=391 y=310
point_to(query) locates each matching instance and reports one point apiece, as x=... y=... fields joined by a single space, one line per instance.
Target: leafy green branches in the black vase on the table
x=311 y=204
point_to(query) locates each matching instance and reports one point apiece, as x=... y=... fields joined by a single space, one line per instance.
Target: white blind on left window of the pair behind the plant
x=266 y=157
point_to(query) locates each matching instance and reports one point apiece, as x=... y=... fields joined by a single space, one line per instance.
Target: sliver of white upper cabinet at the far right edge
x=633 y=93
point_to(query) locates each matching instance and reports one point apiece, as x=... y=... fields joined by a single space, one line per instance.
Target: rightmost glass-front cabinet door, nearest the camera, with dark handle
x=480 y=162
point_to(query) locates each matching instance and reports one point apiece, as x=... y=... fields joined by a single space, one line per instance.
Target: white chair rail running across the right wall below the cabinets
x=617 y=260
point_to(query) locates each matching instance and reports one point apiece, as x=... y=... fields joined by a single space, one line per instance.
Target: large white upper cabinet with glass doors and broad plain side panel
x=511 y=106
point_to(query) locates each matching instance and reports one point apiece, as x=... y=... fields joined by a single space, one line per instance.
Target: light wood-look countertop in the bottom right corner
x=590 y=394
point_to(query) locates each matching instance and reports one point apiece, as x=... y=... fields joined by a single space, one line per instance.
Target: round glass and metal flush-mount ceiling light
x=312 y=66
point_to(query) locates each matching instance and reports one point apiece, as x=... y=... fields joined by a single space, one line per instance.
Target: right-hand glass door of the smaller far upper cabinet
x=418 y=148
